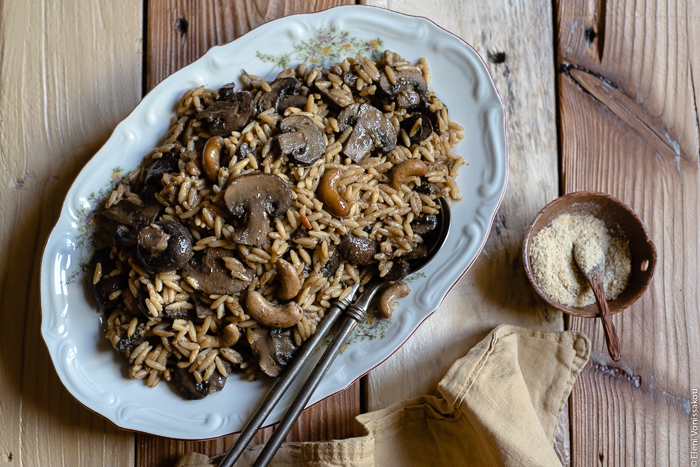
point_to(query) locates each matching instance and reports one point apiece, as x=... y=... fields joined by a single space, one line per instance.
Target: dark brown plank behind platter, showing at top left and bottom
x=172 y=45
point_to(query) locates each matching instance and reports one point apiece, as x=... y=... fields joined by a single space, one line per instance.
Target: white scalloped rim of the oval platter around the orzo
x=71 y=326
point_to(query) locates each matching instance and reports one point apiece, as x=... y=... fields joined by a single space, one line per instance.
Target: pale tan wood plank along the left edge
x=69 y=72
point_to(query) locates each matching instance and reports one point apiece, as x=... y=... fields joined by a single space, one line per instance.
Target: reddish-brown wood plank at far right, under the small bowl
x=629 y=127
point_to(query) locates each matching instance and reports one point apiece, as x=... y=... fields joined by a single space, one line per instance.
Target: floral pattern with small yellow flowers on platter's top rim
x=325 y=47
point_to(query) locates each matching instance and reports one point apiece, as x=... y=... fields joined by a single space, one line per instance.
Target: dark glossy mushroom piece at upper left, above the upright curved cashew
x=230 y=115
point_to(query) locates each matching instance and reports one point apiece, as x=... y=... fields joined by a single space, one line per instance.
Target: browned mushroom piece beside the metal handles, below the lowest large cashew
x=274 y=348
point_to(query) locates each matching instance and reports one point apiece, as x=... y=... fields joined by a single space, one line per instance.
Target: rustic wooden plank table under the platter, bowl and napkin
x=600 y=95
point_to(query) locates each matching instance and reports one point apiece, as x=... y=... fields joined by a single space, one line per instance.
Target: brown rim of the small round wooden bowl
x=593 y=196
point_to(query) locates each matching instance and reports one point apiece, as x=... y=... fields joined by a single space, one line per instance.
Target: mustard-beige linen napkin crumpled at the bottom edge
x=500 y=407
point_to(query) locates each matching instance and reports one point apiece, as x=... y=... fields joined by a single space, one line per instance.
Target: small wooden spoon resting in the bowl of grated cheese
x=591 y=260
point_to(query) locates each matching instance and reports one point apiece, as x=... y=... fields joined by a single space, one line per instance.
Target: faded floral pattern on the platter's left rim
x=86 y=224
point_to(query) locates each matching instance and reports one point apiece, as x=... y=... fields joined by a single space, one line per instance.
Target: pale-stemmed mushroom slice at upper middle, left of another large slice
x=301 y=139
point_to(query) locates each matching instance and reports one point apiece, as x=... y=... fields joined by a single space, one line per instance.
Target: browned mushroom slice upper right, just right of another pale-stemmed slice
x=372 y=130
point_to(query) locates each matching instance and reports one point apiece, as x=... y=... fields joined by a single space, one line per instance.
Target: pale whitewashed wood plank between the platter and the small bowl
x=515 y=38
